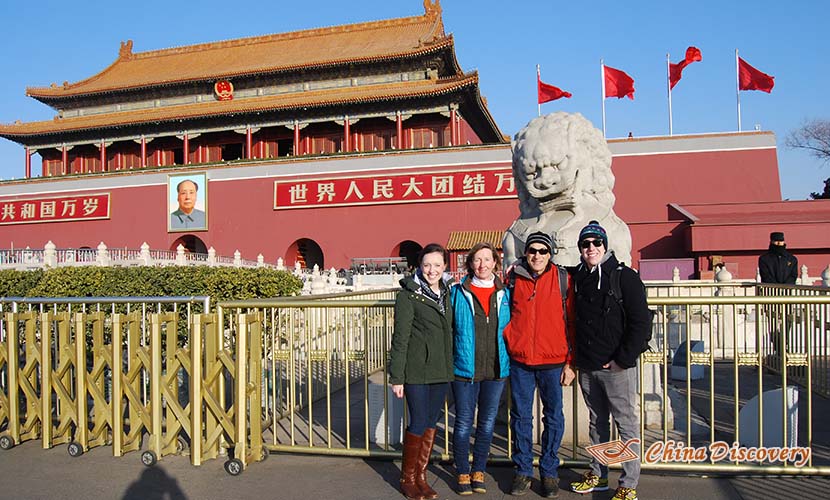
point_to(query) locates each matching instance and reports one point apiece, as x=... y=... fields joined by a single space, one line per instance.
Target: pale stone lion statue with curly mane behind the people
x=562 y=170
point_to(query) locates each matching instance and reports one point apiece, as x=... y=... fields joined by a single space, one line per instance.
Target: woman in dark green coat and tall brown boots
x=420 y=365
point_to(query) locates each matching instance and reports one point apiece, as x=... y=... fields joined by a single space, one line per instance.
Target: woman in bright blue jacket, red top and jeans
x=481 y=310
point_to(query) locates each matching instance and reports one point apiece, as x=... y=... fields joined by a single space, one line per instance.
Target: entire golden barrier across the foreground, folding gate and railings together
x=309 y=375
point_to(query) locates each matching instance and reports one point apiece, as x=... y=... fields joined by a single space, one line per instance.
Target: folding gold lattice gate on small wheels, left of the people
x=96 y=376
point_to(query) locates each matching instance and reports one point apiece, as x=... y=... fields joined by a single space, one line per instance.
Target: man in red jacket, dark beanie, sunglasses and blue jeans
x=539 y=339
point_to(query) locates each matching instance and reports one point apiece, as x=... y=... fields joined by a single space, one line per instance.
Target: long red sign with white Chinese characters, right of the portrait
x=398 y=188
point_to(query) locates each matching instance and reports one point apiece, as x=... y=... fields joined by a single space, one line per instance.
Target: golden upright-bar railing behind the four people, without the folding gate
x=328 y=398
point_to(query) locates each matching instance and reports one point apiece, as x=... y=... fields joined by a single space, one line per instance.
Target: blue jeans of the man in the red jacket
x=522 y=384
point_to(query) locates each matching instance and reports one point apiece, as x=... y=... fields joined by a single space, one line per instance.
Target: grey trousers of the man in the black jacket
x=610 y=393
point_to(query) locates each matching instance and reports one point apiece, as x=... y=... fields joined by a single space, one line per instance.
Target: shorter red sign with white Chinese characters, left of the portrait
x=65 y=208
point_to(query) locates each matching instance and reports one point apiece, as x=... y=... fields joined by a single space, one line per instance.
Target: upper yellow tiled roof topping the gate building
x=363 y=42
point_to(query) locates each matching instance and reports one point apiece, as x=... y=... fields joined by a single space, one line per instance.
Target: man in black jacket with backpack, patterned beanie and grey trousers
x=611 y=332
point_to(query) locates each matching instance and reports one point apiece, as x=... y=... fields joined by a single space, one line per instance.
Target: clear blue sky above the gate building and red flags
x=56 y=41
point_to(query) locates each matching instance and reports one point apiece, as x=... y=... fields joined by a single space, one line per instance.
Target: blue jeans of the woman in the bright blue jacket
x=486 y=394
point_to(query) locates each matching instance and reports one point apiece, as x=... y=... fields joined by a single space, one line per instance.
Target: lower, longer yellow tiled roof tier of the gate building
x=316 y=98
